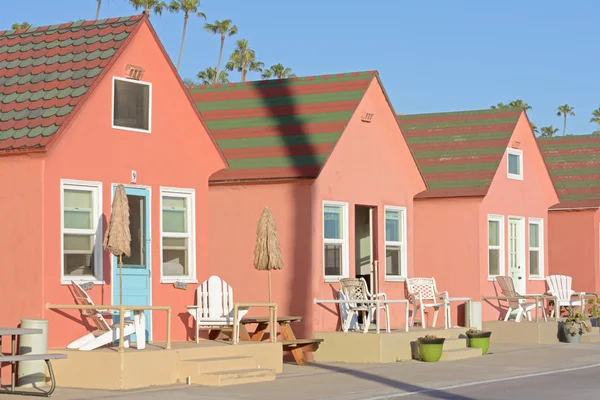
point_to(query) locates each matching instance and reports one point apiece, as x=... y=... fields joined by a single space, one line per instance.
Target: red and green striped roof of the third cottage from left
x=458 y=153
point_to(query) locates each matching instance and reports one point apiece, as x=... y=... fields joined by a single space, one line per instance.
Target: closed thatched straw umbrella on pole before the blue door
x=117 y=240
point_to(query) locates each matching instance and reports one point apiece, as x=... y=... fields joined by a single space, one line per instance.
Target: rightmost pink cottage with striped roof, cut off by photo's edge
x=574 y=223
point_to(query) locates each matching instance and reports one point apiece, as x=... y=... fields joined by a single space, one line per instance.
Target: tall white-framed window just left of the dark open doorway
x=335 y=241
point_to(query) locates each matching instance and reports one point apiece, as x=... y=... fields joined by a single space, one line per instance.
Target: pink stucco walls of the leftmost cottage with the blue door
x=177 y=153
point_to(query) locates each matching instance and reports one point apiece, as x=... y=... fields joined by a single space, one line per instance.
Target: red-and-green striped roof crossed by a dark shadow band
x=279 y=128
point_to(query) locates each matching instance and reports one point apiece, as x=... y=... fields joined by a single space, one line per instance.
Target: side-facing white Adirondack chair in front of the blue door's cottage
x=105 y=333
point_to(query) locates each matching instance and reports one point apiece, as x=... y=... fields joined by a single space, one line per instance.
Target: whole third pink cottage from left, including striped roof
x=485 y=212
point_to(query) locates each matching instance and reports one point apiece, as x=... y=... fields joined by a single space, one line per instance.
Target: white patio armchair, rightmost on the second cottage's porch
x=423 y=293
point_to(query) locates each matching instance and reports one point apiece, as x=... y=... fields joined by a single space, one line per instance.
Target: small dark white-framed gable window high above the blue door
x=132 y=105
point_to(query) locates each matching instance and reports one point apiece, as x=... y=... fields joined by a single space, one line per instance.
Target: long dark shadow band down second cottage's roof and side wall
x=290 y=128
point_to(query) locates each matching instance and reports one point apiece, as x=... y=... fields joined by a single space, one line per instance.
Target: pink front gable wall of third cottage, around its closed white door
x=529 y=198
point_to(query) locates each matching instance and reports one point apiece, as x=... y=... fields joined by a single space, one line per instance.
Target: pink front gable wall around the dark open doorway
x=371 y=165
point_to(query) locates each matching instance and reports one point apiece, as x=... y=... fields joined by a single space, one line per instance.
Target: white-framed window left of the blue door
x=81 y=231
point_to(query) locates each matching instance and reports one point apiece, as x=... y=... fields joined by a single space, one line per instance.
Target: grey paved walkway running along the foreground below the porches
x=552 y=371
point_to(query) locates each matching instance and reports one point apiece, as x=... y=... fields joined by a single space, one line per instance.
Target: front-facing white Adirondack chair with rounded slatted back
x=214 y=306
